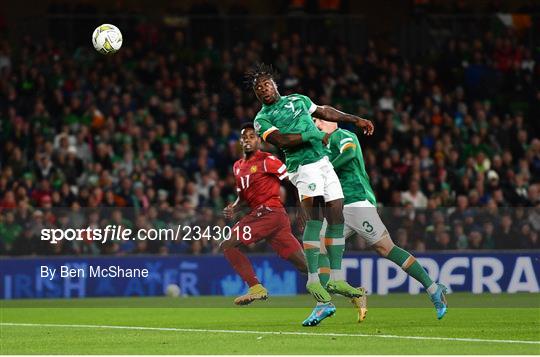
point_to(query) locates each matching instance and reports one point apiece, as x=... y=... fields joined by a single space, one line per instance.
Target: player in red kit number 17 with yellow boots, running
x=258 y=177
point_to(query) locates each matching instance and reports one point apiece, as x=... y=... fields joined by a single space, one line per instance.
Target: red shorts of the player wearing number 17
x=270 y=223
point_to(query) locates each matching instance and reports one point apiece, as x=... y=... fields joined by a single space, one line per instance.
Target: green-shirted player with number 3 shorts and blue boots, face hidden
x=361 y=215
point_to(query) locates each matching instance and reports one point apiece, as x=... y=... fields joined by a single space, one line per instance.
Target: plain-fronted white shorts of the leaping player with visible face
x=317 y=179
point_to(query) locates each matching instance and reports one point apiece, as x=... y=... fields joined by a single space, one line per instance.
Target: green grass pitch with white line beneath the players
x=396 y=324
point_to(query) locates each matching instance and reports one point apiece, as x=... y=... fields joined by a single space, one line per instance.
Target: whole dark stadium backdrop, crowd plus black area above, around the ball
x=452 y=87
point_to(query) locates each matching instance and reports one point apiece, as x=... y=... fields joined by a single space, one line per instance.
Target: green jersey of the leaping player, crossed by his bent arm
x=291 y=114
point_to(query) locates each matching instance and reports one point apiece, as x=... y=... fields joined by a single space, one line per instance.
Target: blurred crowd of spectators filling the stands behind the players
x=147 y=138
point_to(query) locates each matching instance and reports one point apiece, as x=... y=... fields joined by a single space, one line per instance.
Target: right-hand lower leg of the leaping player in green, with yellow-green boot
x=335 y=245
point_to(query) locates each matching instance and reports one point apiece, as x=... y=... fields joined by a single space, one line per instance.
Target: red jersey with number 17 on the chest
x=257 y=179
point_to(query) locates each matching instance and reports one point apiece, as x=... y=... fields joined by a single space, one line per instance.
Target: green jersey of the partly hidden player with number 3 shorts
x=352 y=176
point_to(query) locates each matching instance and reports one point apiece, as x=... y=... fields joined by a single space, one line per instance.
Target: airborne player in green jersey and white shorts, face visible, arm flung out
x=286 y=122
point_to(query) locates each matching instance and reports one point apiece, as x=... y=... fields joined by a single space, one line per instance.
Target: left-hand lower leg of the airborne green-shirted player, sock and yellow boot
x=311 y=242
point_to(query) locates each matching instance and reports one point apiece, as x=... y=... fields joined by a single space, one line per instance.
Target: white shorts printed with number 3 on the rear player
x=360 y=217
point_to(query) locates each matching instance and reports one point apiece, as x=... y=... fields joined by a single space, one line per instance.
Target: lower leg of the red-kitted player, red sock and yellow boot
x=241 y=264
